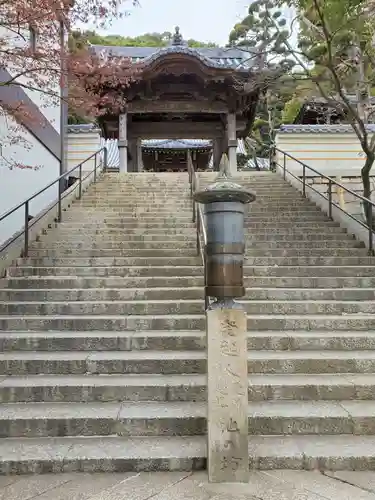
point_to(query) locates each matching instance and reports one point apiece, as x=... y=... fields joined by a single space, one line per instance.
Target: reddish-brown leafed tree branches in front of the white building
x=32 y=58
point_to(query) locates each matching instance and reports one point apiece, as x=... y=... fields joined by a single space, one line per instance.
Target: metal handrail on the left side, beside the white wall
x=60 y=180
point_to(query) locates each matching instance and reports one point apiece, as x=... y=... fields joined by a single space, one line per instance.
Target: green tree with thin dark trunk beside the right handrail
x=334 y=54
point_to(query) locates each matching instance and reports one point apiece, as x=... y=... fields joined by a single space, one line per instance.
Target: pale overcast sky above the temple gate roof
x=204 y=20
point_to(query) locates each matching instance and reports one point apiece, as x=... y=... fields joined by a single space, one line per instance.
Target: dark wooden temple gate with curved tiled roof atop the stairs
x=206 y=94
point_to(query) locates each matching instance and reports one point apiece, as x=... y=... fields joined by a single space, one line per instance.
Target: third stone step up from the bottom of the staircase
x=190 y=387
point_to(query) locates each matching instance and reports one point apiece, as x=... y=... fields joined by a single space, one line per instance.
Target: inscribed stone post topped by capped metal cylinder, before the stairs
x=228 y=459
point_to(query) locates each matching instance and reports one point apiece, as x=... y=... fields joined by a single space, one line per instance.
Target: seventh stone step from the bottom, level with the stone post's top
x=185 y=307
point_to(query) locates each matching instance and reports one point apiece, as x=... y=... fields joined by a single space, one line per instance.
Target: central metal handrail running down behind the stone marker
x=198 y=218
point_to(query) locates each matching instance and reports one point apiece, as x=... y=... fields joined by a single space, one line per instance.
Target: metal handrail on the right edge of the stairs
x=331 y=182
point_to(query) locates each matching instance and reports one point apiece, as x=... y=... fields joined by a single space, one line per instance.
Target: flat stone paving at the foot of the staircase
x=270 y=485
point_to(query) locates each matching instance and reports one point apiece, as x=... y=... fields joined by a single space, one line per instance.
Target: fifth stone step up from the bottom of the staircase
x=181 y=340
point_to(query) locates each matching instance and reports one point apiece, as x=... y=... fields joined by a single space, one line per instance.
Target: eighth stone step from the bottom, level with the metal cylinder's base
x=165 y=293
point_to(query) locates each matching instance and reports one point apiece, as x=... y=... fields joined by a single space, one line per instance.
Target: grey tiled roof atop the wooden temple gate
x=214 y=57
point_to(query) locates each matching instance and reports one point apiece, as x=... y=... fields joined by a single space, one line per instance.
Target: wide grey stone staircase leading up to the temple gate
x=102 y=357
